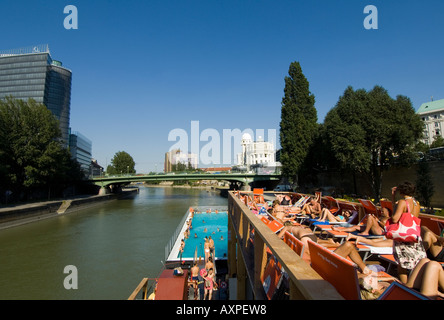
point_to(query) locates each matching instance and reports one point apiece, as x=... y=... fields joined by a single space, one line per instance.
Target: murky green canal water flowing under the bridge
x=113 y=246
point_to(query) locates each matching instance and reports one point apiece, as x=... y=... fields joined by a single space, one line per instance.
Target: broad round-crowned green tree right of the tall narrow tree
x=368 y=131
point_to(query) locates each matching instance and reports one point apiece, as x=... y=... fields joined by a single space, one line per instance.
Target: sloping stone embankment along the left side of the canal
x=13 y=216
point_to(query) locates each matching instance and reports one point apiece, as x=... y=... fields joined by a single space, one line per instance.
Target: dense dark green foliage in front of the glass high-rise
x=31 y=153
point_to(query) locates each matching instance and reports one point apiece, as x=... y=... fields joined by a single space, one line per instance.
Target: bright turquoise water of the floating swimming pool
x=205 y=225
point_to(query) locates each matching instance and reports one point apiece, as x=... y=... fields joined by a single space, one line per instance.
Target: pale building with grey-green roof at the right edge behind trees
x=432 y=113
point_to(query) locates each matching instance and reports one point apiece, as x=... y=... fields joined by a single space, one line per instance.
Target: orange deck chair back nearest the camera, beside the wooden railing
x=340 y=272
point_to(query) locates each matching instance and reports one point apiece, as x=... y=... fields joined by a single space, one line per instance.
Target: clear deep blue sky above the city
x=142 y=68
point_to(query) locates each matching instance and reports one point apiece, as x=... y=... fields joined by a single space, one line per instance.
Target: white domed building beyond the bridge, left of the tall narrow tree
x=255 y=152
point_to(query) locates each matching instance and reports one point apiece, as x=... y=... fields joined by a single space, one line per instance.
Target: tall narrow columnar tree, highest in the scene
x=298 y=122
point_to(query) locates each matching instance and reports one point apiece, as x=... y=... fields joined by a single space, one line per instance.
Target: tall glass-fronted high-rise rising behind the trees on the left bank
x=32 y=73
